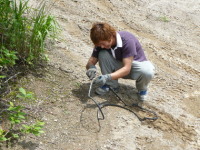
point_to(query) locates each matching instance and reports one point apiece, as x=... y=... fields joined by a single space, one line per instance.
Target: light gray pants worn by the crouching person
x=142 y=72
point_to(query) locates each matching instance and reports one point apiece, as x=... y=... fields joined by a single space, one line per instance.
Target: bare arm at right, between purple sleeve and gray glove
x=125 y=70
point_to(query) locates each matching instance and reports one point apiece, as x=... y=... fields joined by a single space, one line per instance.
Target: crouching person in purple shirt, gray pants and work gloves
x=120 y=55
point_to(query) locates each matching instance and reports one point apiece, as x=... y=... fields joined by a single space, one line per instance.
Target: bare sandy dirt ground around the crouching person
x=169 y=31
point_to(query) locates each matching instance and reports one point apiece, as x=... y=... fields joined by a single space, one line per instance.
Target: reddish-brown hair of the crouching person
x=101 y=32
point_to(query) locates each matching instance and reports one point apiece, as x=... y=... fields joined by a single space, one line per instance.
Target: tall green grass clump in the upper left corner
x=23 y=31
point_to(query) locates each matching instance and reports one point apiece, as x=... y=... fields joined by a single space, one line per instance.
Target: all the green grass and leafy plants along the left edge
x=23 y=34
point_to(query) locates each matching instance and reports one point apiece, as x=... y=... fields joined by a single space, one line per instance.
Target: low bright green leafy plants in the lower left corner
x=17 y=121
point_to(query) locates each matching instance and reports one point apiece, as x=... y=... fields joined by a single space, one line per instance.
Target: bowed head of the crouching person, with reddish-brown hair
x=102 y=35
